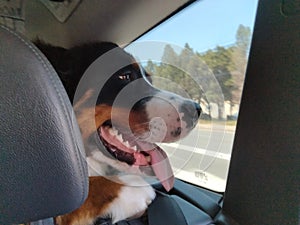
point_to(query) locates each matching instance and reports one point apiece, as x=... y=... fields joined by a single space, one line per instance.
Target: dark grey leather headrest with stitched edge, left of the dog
x=43 y=170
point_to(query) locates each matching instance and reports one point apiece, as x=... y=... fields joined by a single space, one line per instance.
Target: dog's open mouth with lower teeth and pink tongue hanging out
x=126 y=147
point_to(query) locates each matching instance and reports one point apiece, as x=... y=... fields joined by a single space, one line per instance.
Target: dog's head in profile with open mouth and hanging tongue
x=131 y=116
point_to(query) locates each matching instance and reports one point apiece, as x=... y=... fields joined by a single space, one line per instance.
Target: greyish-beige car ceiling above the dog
x=118 y=21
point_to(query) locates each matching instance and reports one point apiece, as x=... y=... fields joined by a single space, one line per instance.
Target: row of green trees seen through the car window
x=187 y=69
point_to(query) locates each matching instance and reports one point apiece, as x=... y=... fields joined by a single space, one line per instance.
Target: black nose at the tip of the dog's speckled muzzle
x=191 y=111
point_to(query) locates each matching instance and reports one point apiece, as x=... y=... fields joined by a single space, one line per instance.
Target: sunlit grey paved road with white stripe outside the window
x=203 y=157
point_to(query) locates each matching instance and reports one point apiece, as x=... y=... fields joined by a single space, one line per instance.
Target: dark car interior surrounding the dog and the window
x=43 y=172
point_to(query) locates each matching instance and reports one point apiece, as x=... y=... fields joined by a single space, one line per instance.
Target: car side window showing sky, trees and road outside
x=202 y=53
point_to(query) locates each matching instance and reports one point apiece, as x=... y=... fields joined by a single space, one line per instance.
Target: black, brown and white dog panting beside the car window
x=120 y=123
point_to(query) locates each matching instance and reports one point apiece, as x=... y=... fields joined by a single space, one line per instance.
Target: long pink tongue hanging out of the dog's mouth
x=162 y=168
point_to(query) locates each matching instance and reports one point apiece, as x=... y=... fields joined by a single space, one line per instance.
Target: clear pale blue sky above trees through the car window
x=206 y=24
